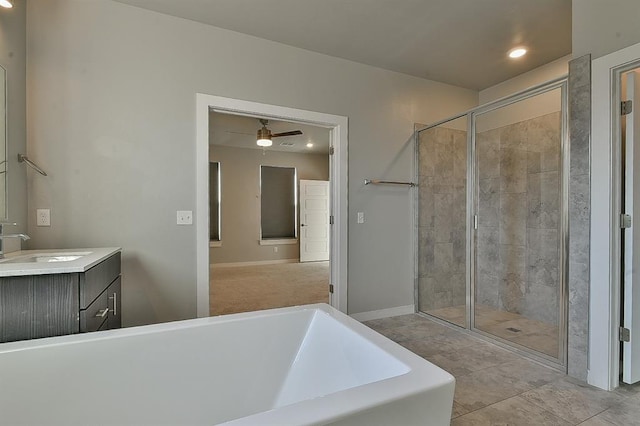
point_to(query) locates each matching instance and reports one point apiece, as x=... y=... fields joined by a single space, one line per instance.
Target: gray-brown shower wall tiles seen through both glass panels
x=519 y=211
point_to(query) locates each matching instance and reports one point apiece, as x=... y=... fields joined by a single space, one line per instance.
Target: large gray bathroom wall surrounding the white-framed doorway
x=111 y=117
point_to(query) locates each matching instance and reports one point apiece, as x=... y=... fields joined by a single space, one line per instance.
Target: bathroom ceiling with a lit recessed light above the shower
x=460 y=42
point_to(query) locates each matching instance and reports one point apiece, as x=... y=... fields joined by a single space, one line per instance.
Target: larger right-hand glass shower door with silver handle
x=518 y=285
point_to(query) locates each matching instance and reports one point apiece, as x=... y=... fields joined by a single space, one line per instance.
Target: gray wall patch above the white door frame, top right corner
x=604 y=26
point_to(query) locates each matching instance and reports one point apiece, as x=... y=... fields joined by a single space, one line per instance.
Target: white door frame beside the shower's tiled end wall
x=604 y=286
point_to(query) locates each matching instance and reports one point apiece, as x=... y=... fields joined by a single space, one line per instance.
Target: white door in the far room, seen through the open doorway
x=314 y=220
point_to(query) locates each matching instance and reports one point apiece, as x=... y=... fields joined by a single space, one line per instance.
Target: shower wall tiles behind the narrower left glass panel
x=441 y=218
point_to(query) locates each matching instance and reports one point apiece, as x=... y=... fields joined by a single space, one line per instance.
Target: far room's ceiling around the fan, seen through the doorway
x=240 y=132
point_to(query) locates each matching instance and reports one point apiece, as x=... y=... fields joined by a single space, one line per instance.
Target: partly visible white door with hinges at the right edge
x=631 y=316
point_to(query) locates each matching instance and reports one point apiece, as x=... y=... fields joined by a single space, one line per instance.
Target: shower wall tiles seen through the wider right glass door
x=518 y=256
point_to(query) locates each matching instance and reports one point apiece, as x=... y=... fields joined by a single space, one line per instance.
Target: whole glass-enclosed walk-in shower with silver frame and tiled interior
x=492 y=221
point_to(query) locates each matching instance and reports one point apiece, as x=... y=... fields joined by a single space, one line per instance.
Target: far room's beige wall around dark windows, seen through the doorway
x=240 y=171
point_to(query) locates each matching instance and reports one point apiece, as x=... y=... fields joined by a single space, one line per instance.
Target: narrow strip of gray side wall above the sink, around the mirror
x=13 y=57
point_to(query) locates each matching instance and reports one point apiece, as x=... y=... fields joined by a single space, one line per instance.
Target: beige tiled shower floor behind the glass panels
x=536 y=335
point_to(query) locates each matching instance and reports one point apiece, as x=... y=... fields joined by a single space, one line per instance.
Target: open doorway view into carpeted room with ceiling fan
x=269 y=208
